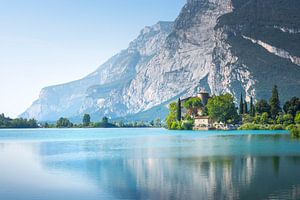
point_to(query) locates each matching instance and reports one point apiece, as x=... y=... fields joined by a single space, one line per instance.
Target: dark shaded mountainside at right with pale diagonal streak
x=264 y=37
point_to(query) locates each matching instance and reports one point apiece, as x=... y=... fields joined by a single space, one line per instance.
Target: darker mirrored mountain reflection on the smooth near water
x=190 y=178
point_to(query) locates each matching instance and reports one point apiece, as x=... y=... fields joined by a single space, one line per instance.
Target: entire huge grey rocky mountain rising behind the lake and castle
x=235 y=46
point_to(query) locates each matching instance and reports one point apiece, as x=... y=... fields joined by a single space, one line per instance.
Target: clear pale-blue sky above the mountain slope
x=48 y=42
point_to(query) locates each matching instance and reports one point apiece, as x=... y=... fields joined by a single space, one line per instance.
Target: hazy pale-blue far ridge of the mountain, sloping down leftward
x=101 y=92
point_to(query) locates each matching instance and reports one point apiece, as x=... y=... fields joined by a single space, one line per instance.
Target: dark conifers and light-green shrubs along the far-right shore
x=270 y=115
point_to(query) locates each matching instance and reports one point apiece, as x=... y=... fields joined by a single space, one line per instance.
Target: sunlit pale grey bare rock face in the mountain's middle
x=185 y=59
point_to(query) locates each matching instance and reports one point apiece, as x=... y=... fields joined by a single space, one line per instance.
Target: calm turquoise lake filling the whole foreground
x=72 y=164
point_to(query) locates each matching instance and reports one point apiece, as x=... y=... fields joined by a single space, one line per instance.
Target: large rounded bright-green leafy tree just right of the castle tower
x=222 y=108
